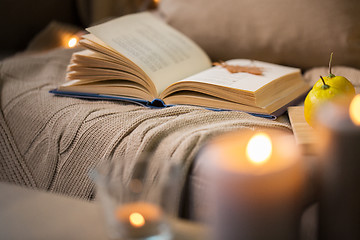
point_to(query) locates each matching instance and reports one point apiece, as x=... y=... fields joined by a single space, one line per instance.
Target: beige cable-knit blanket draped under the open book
x=52 y=143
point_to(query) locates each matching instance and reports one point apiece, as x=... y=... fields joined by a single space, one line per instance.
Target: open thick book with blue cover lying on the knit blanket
x=140 y=58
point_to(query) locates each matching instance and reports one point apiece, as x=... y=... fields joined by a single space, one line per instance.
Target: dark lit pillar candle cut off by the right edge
x=339 y=147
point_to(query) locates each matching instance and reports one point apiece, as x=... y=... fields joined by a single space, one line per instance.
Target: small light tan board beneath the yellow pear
x=303 y=132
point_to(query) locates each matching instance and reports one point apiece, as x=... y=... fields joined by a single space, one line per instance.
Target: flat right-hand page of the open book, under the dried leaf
x=244 y=81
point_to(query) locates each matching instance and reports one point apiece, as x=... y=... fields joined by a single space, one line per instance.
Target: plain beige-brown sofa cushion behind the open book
x=299 y=33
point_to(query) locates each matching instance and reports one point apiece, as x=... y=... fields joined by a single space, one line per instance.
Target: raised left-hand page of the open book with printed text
x=162 y=52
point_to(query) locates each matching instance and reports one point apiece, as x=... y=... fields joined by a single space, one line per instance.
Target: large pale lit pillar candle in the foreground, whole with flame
x=257 y=182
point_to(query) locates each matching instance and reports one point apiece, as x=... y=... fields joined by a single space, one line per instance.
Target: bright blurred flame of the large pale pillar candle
x=259 y=148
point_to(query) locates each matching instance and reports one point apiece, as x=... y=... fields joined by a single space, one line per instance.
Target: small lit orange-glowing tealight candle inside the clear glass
x=140 y=220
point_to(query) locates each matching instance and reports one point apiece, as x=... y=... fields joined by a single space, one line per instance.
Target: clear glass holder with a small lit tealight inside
x=129 y=214
